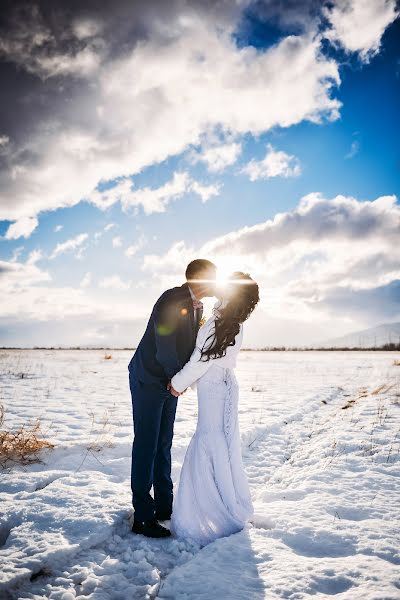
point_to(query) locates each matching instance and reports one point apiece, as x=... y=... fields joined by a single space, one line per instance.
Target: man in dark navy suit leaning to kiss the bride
x=166 y=345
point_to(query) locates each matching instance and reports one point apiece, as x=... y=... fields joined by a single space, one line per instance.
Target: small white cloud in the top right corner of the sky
x=358 y=25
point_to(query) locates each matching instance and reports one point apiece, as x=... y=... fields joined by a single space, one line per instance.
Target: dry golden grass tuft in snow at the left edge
x=22 y=445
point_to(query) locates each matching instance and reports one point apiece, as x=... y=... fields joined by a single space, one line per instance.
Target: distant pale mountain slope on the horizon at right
x=375 y=336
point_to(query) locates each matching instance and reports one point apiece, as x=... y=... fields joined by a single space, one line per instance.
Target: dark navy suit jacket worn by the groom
x=169 y=339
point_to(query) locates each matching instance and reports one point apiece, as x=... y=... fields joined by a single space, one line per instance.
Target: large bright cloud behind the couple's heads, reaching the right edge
x=303 y=257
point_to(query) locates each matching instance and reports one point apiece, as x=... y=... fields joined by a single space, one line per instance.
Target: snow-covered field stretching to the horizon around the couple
x=320 y=438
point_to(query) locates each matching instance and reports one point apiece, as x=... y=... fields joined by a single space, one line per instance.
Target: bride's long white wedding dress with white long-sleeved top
x=213 y=497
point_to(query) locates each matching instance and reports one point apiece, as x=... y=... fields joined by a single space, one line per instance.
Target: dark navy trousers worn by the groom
x=153 y=408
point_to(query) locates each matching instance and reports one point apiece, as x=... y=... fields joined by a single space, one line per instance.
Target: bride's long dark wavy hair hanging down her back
x=243 y=301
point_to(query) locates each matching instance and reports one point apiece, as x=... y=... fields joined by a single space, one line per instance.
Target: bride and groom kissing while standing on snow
x=213 y=497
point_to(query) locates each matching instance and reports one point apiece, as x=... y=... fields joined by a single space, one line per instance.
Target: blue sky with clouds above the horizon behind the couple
x=261 y=139
